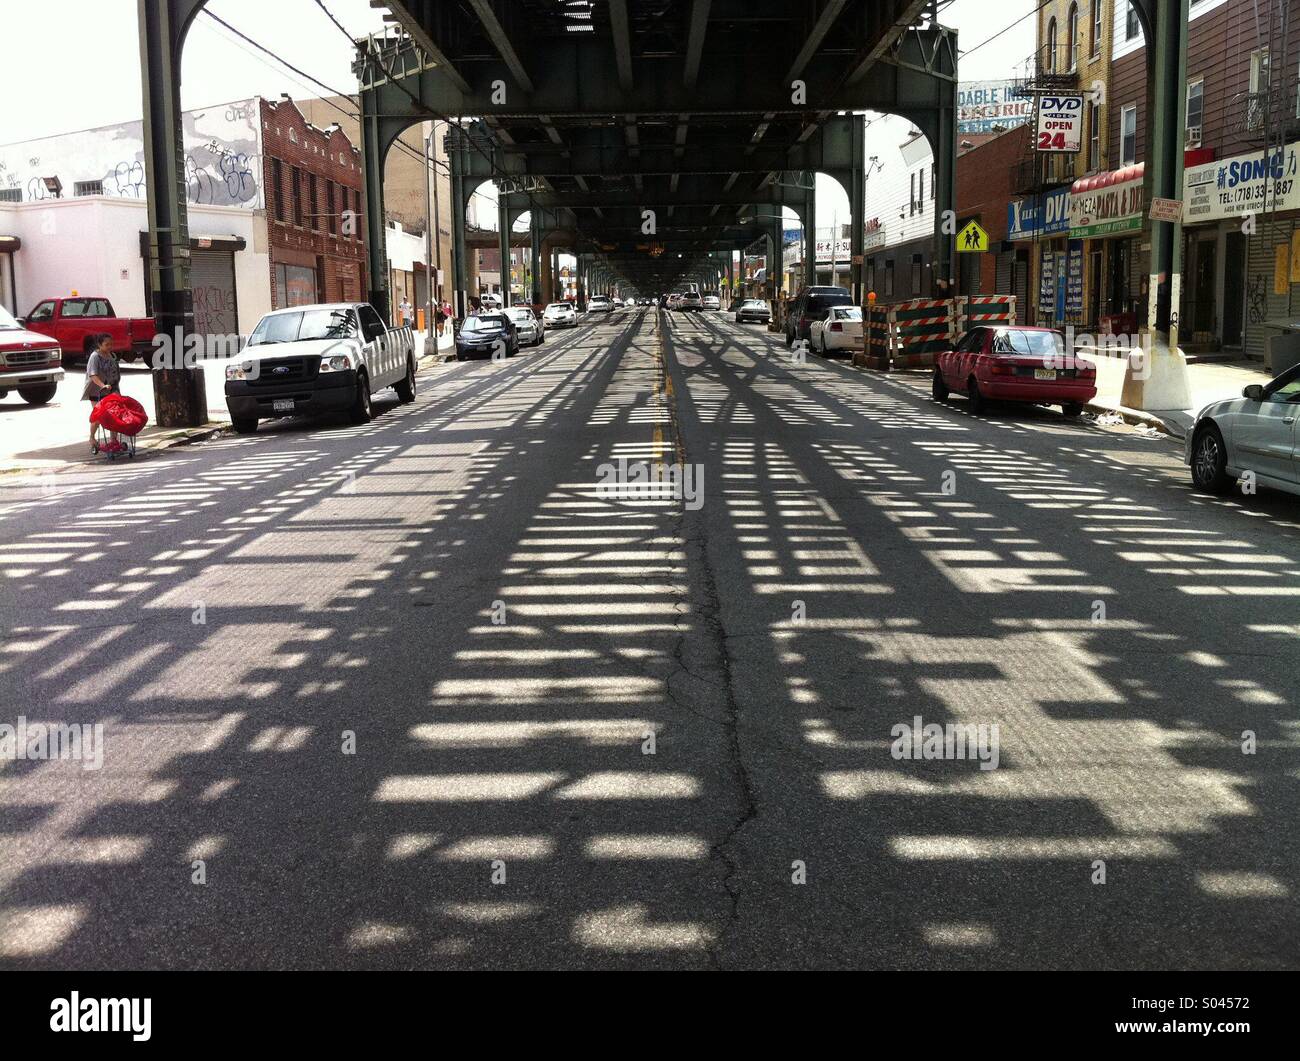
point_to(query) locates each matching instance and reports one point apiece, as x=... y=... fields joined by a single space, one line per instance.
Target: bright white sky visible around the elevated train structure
x=102 y=85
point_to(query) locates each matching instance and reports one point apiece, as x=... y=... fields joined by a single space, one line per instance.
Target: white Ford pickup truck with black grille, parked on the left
x=318 y=360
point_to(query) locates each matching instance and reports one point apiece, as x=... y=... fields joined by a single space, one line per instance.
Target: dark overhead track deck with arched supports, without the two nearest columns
x=665 y=135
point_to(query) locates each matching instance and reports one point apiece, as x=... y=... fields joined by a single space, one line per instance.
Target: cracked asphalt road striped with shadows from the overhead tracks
x=391 y=690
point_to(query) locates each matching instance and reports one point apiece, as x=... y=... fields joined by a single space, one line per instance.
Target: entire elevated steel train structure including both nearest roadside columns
x=712 y=115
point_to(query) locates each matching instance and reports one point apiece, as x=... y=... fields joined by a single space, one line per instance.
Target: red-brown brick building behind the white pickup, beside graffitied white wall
x=315 y=216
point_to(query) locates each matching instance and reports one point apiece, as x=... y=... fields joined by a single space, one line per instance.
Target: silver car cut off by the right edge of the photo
x=1253 y=434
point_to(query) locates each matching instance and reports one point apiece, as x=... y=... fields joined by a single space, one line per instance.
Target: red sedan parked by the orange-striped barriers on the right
x=1008 y=363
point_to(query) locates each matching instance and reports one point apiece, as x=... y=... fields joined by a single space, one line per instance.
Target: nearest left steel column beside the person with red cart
x=179 y=392
